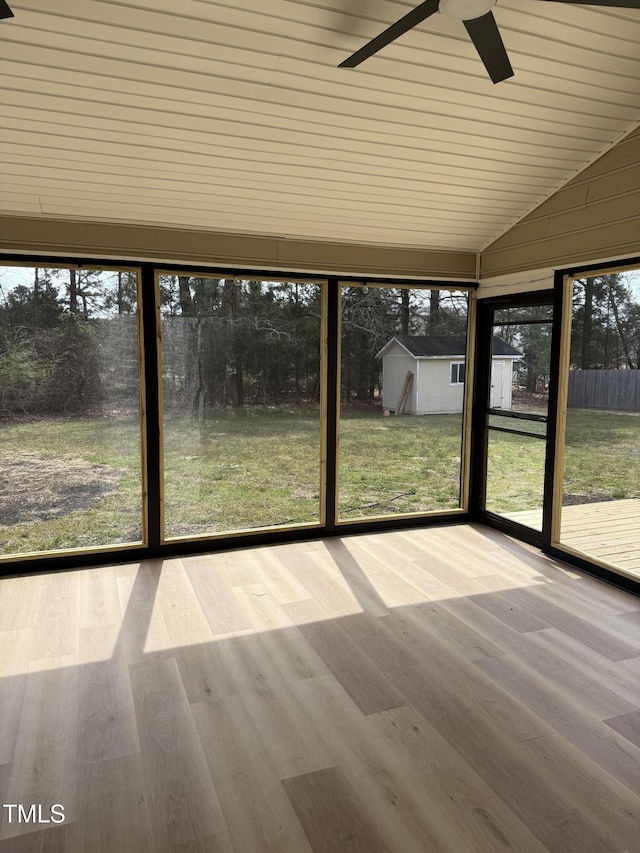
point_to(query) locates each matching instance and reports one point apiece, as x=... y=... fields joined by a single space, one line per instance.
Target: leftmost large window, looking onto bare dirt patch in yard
x=70 y=429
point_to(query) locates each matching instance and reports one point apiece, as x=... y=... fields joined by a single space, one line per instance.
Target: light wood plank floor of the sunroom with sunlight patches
x=436 y=691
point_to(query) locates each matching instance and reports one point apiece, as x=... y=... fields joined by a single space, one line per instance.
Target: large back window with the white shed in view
x=401 y=417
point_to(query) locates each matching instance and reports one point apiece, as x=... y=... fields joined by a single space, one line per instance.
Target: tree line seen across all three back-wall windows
x=68 y=340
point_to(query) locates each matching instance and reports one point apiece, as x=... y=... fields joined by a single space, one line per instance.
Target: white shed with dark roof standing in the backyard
x=427 y=371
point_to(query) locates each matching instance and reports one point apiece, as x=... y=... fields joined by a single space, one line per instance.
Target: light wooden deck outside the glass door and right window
x=608 y=531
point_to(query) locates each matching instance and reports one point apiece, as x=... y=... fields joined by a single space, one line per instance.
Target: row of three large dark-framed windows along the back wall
x=265 y=404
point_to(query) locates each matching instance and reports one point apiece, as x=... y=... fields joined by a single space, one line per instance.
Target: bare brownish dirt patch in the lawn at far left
x=38 y=488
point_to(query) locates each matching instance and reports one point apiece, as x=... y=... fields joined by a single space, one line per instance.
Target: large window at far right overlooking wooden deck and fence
x=600 y=512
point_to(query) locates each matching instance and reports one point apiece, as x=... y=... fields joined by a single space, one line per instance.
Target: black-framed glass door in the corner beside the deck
x=515 y=359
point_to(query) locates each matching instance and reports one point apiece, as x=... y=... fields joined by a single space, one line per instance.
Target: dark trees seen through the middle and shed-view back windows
x=232 y=342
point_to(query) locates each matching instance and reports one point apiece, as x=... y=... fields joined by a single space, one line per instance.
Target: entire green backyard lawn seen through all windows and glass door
x=78 y=480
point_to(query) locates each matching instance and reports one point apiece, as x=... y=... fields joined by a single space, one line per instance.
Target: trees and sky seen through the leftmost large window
x=67 y=341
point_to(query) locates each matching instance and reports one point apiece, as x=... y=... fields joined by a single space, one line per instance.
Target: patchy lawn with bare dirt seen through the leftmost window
x=77 y=484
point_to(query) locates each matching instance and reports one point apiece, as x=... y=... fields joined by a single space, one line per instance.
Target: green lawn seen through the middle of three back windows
x=241 y=471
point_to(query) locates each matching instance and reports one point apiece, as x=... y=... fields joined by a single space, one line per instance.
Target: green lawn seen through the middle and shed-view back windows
x=262 y=469
